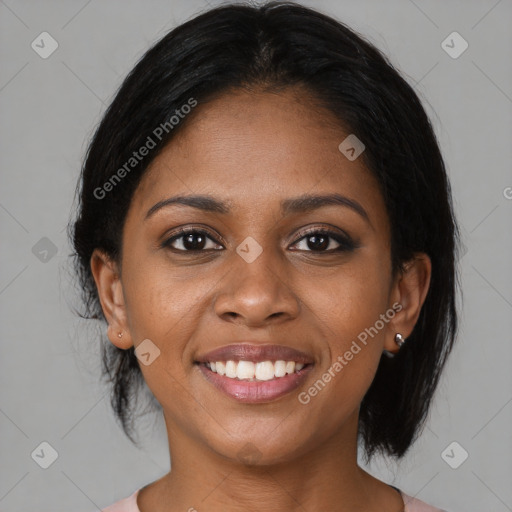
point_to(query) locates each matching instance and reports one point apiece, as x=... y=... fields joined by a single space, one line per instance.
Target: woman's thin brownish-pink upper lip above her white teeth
x=256 y=353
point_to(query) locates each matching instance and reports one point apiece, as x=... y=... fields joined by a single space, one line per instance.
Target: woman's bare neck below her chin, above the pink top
x=324 y=477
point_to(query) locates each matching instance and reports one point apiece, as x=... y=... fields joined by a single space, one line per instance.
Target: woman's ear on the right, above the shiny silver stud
x=410 y=290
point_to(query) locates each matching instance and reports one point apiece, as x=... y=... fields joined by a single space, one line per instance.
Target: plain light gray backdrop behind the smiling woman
x=49 y=386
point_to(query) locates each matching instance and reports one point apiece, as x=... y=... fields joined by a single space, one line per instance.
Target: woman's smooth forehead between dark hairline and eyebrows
x=254 y=149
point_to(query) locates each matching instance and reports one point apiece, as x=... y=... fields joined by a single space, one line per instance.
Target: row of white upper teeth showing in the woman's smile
x=248 y=370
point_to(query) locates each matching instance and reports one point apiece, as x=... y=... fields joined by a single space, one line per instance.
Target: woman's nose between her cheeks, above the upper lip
x=257 y=293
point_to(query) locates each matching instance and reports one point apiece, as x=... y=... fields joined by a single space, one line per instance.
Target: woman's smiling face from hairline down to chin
x=261 y=274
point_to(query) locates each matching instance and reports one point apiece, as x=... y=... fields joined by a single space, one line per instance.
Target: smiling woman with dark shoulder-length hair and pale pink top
x=265 y=226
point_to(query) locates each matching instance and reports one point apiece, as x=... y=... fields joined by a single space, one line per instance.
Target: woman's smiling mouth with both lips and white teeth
x=255 y=373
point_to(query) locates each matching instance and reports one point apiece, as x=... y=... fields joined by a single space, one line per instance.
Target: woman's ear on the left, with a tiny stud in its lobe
x=110 y=291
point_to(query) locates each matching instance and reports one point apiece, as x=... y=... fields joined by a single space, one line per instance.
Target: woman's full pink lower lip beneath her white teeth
x=256 y=391
